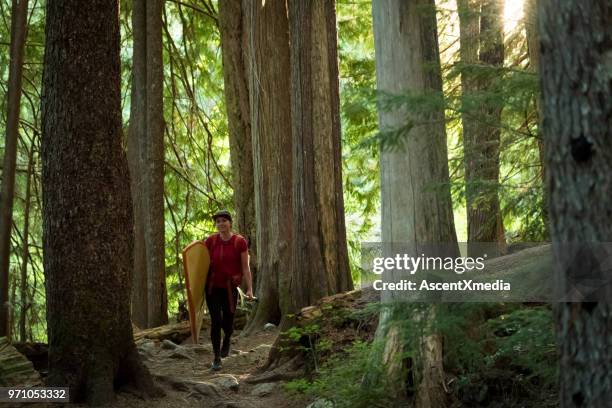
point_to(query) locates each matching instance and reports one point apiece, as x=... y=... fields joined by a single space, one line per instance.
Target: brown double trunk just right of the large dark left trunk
x=147 y=132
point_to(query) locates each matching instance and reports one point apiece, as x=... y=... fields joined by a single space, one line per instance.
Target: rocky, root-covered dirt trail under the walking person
x=185 y=375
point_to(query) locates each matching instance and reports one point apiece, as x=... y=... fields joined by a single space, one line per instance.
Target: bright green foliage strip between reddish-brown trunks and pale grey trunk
x=360 y=162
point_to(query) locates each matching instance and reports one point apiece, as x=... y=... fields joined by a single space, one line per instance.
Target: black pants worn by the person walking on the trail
x=221 y=315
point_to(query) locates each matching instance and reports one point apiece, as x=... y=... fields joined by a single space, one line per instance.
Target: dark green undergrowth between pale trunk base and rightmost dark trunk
x=499 y=348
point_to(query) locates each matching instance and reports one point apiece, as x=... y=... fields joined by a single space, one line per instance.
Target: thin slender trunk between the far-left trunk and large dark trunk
x=25 y=302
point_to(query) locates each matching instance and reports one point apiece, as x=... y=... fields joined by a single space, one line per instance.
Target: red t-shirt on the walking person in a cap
x=225 y=259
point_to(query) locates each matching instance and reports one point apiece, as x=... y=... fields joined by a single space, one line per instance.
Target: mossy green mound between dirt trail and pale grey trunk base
x=337 y=347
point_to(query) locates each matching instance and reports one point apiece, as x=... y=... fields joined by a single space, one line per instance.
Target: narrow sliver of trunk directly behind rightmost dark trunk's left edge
x=533 y=46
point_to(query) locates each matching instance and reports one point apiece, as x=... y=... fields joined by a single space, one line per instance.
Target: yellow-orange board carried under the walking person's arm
x=196 y=261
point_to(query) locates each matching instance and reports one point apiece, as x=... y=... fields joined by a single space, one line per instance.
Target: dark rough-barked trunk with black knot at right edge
x=576 y=45
